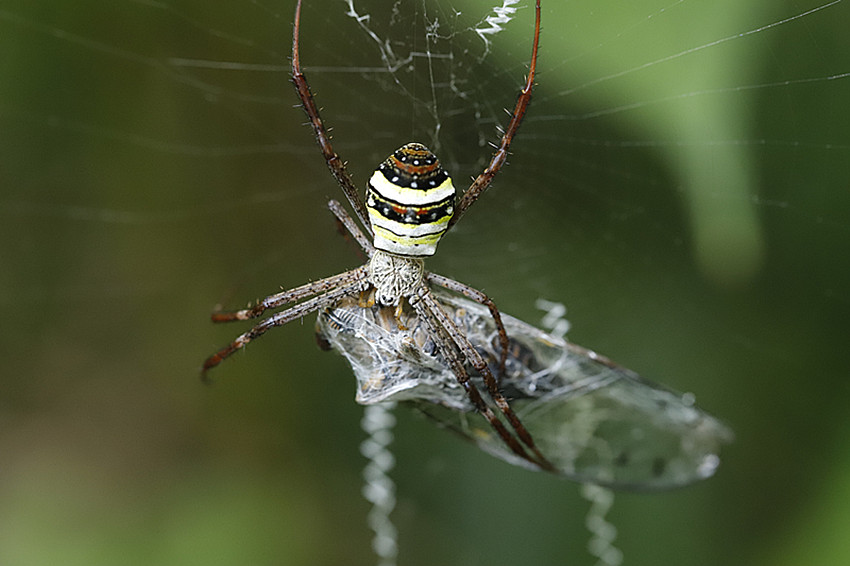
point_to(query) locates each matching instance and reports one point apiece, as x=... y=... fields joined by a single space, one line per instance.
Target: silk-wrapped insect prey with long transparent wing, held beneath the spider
x=594 y=420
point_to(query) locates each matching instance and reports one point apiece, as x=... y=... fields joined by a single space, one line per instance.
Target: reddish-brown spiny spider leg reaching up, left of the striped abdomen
x=335 y=164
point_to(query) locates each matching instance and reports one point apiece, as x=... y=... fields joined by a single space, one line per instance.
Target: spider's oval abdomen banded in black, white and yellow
x=410 y=199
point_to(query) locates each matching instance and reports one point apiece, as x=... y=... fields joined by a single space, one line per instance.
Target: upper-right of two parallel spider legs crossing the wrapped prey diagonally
x=432 y=308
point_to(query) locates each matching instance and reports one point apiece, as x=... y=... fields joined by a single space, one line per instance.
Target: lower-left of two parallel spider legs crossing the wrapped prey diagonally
x=451 y=352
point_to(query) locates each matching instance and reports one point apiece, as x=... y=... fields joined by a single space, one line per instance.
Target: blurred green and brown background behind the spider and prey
x=683 y=186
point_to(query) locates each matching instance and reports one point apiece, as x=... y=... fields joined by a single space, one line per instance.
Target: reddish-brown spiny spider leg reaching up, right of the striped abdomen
x=480 y=184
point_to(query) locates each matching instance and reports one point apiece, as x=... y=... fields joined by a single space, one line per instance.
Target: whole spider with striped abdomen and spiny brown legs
x=410 y=204
